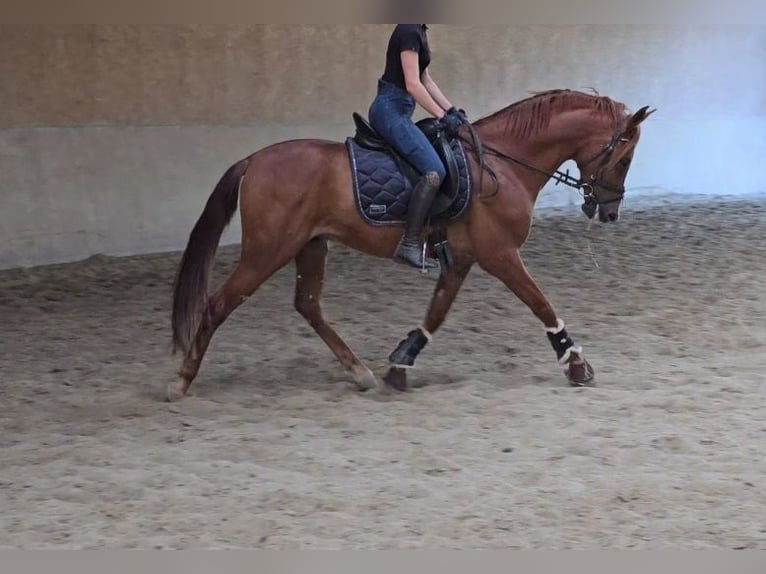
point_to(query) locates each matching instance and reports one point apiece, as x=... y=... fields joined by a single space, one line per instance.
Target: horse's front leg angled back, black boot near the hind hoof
x=407 y=352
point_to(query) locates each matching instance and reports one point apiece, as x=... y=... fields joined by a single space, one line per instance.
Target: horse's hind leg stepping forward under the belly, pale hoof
x=310 y=272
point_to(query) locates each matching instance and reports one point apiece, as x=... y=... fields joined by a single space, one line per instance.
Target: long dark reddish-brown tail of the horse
x=190 y=297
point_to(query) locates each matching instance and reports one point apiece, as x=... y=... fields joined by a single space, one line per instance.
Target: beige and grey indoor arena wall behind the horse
x=112 y=136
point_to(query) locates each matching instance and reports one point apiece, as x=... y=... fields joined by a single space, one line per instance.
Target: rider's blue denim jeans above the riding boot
x=391 y=115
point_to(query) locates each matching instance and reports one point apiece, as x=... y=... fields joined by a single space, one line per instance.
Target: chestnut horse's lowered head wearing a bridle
x=604 y=167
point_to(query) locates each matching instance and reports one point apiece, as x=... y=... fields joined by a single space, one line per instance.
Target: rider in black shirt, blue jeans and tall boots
x=404 y=83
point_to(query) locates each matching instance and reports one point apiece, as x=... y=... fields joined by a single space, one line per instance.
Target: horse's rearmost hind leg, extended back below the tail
x=238 y=287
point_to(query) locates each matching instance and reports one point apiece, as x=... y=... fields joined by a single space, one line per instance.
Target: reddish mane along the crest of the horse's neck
x=533 y=114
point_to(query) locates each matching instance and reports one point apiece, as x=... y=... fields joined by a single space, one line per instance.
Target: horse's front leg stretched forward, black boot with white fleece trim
x=507 y=266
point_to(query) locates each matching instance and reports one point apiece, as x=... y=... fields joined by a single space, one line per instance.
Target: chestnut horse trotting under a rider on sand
x=295 y=196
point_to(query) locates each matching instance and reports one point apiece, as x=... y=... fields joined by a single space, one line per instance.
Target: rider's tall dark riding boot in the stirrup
x=410 y=248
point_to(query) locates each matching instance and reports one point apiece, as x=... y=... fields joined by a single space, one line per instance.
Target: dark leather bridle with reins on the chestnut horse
x=587 y=188
